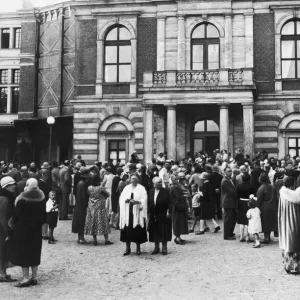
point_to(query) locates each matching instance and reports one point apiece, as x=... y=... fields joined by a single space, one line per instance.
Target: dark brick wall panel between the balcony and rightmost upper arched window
x=264 y=52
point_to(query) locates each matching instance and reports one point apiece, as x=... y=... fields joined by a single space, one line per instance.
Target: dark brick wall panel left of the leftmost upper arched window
x=86 y=54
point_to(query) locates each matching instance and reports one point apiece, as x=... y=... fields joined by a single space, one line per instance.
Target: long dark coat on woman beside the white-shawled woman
x=159 y=226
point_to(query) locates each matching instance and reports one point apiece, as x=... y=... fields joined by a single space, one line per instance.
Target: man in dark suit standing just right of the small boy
x=66 y=188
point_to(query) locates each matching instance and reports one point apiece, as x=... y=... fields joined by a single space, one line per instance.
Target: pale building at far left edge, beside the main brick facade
x=10 y=39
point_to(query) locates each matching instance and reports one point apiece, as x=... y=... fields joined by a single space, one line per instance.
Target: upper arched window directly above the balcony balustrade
x=205 y=47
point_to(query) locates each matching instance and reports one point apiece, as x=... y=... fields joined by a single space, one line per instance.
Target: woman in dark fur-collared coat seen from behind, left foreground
x=29 y=216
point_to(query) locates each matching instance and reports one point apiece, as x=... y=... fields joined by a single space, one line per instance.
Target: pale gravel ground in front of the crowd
x=207 y=267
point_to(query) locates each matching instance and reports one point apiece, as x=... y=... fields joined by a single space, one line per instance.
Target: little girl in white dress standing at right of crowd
x=254 y=226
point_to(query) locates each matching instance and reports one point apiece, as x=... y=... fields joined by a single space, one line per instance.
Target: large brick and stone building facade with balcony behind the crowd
x=158 y=76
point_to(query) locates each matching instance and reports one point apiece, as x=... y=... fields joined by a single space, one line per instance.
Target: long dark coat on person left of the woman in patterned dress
x=82 y=200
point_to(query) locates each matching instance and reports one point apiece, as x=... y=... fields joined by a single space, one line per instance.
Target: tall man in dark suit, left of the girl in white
x=229 y=204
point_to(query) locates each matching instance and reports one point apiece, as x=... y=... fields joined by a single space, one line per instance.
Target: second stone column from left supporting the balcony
x=171 y=131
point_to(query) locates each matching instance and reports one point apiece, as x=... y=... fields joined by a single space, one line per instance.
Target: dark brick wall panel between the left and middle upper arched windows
x=146 y=46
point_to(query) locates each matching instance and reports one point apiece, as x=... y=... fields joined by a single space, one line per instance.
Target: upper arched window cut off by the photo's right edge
x=290 y=50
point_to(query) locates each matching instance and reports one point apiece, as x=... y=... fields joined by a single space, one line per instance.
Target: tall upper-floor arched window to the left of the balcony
x=117 y=55
